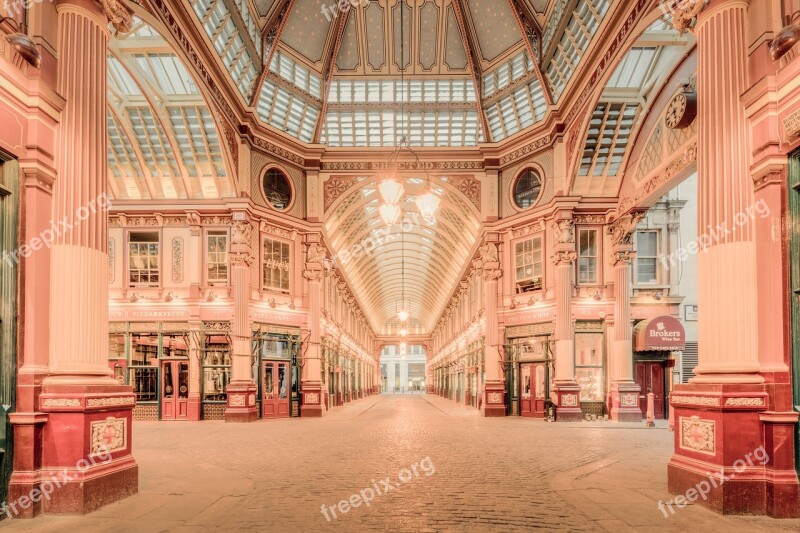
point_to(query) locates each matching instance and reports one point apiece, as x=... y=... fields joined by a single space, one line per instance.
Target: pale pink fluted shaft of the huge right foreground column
x=727 y=327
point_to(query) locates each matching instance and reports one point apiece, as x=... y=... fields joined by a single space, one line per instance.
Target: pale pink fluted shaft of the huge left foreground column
x=78 y=279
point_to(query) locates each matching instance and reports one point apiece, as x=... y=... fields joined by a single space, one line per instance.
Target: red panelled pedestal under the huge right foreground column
x=726 y=432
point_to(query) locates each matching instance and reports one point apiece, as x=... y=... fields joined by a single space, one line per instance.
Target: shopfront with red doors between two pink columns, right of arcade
x=529 y=369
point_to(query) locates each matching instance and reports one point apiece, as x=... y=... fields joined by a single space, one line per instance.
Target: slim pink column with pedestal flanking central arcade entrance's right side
x=489 y=263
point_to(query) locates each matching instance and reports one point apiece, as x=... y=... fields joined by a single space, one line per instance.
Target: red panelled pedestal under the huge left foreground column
x=86 y=461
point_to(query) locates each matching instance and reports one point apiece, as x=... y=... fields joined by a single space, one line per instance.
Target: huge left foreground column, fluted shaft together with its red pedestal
x=88 y=412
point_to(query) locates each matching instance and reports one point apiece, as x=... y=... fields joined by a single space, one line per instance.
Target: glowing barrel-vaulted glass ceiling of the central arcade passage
x=420 y=264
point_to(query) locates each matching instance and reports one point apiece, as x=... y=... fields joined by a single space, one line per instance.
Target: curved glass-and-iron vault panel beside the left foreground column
x=163 y=142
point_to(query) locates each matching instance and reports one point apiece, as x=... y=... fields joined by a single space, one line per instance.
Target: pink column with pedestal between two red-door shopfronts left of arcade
x=241 y=391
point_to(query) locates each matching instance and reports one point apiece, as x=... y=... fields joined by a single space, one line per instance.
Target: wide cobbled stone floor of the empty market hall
x=495 y=474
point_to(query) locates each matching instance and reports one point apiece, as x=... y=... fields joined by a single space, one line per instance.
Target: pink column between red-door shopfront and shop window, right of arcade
x=567 y=390
